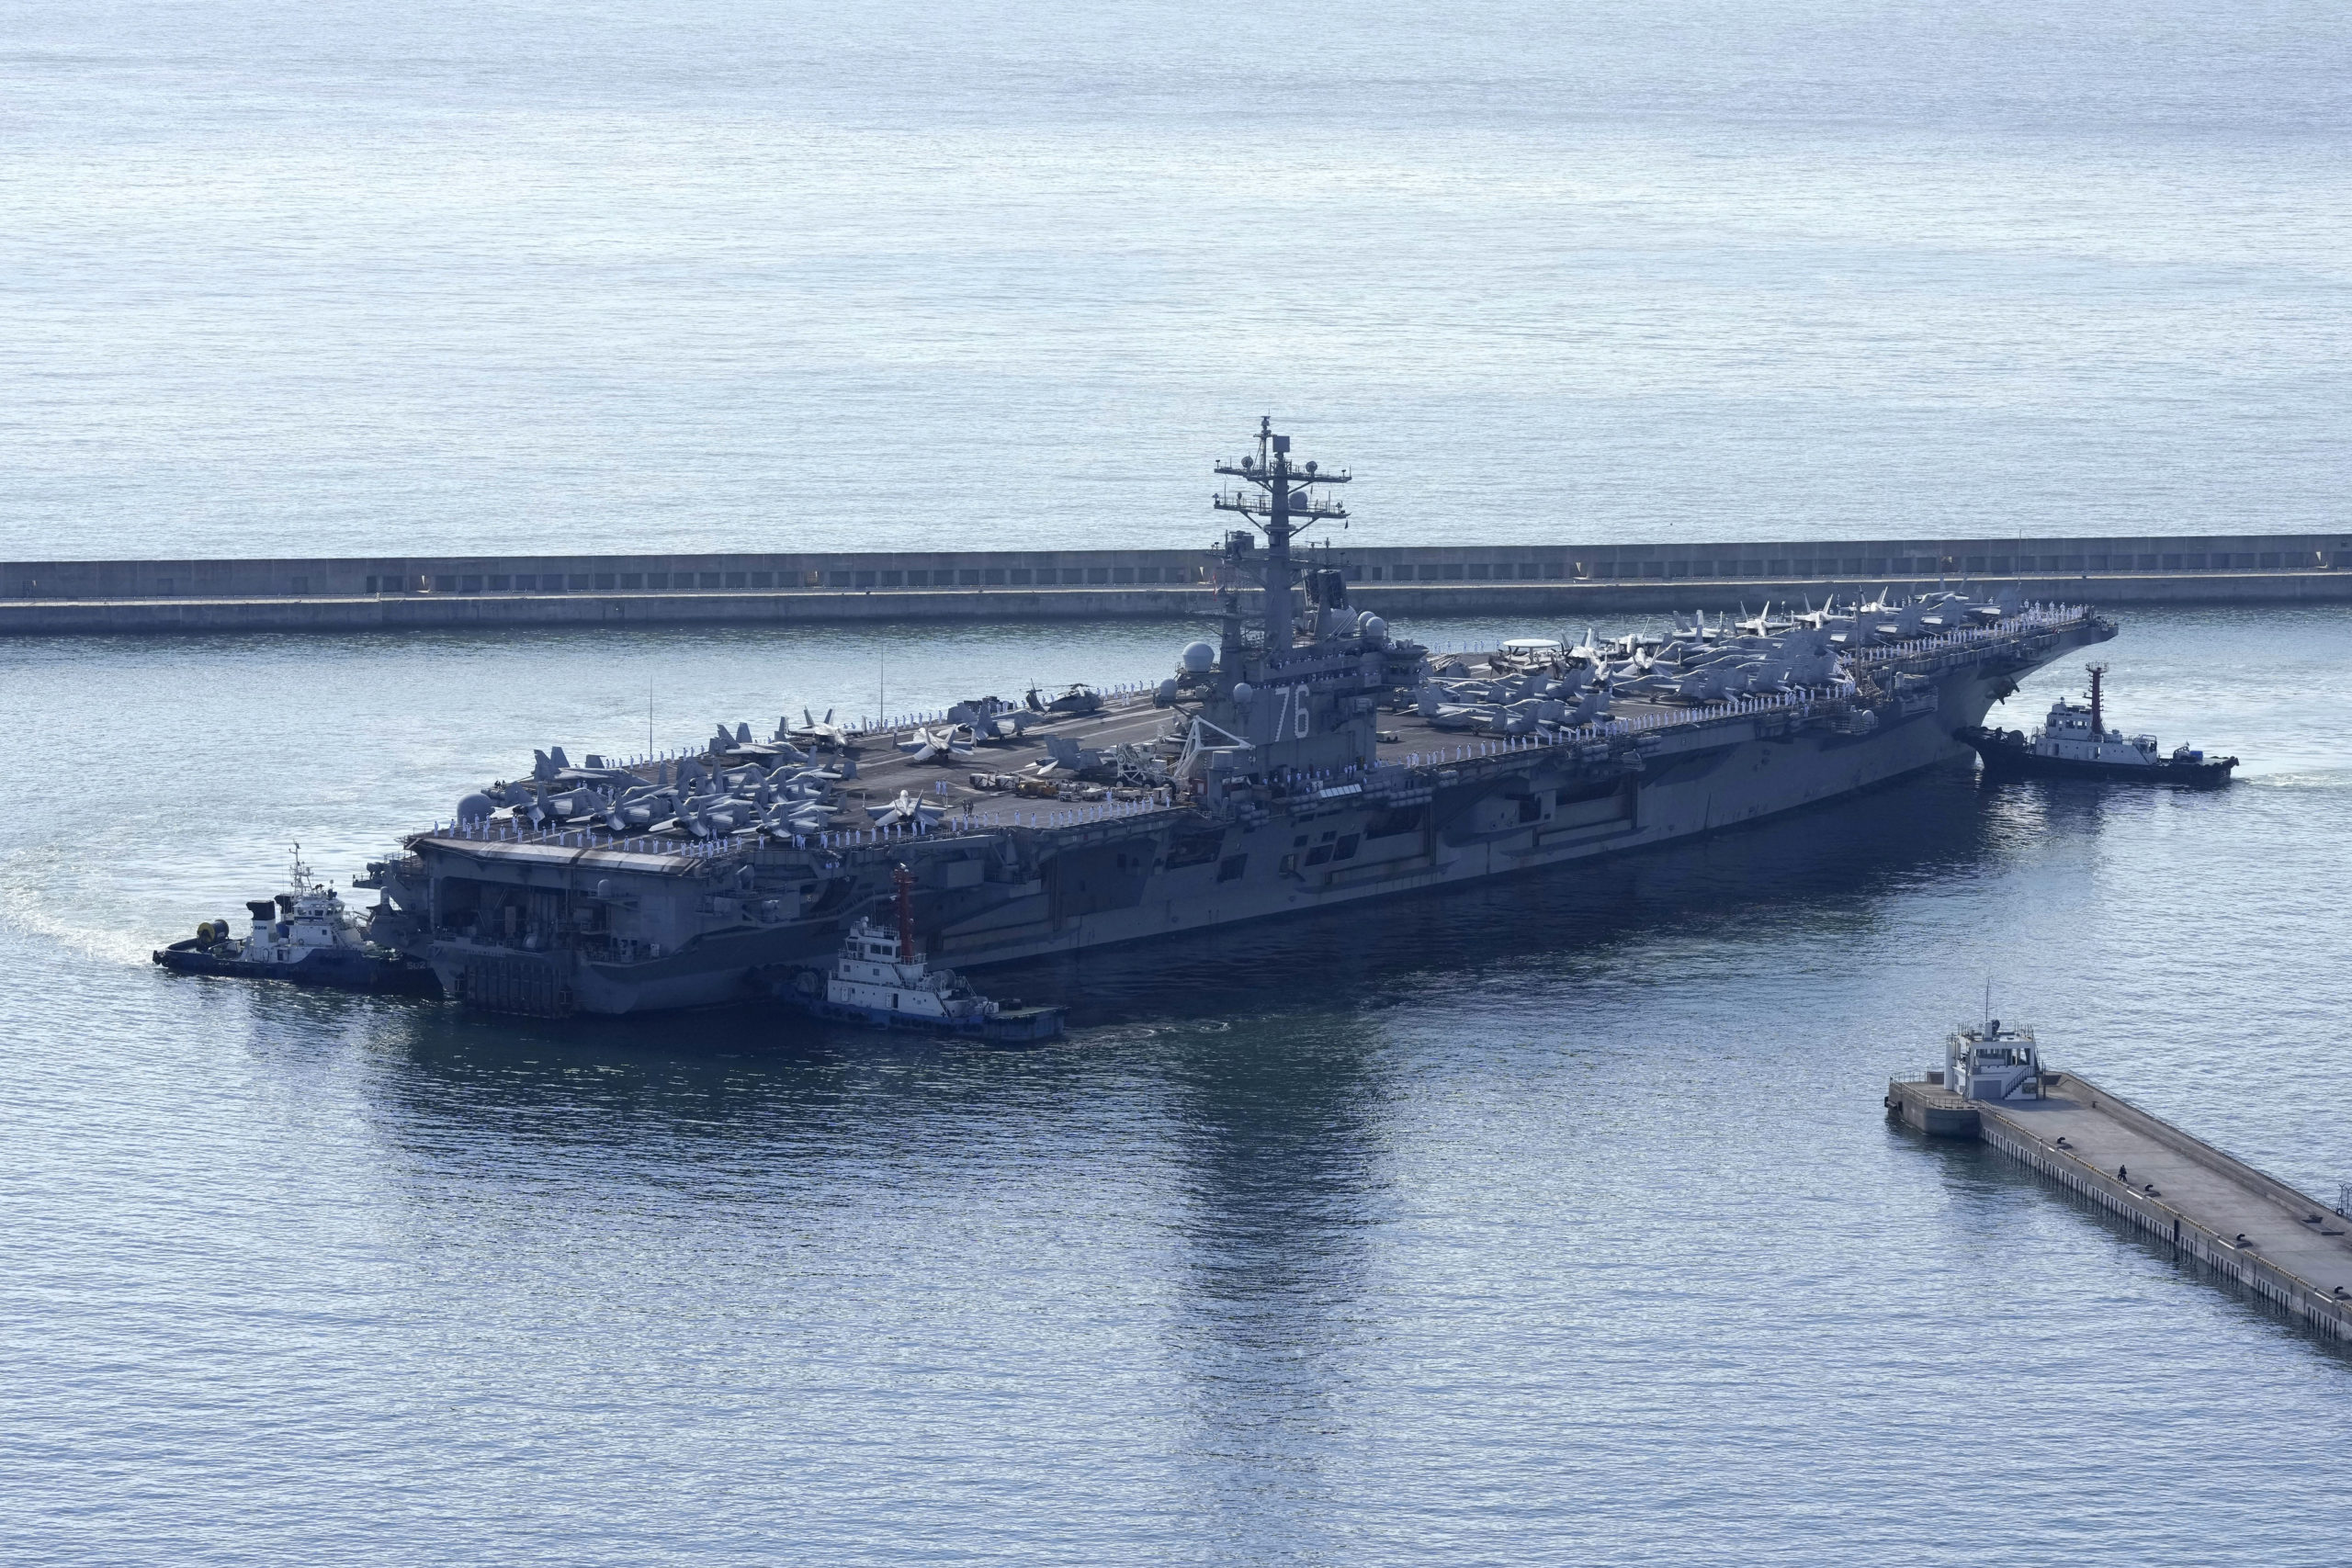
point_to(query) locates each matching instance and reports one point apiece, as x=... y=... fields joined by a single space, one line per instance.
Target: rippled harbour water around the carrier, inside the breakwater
x=1542 y=1221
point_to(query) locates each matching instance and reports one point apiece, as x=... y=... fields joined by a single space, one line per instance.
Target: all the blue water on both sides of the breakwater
x=1549 y=1221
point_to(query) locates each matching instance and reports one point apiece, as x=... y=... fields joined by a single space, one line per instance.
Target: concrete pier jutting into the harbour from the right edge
x=2181 y=1191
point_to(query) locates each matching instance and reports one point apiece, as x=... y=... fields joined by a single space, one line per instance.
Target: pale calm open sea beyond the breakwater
x=521 y=276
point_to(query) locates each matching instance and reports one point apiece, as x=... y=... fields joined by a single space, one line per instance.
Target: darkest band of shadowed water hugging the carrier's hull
x=754 y=1073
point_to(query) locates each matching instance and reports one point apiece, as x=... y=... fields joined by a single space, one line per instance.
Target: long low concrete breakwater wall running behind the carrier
x=422 y=594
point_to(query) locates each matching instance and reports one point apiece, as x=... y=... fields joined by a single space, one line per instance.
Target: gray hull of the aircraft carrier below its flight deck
x=639 y=932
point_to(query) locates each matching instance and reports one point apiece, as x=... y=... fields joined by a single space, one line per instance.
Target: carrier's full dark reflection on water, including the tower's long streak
x=1217 y=1141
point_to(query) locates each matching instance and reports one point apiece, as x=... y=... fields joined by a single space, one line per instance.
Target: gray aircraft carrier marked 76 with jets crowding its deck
x=1307 y=758
